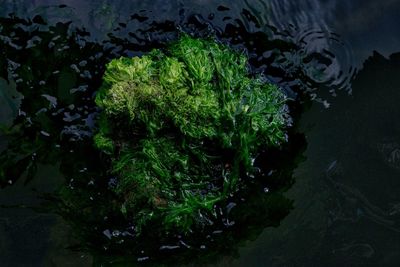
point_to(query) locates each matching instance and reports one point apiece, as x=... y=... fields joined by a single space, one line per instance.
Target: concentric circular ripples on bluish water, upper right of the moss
x=322 y=61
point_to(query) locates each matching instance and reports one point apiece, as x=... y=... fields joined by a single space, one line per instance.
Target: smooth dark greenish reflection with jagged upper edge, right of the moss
x=346 y=202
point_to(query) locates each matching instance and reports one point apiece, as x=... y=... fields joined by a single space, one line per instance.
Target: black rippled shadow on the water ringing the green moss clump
x=50 y=73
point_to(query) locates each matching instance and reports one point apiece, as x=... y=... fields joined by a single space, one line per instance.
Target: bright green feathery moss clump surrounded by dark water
x=183 y=128
